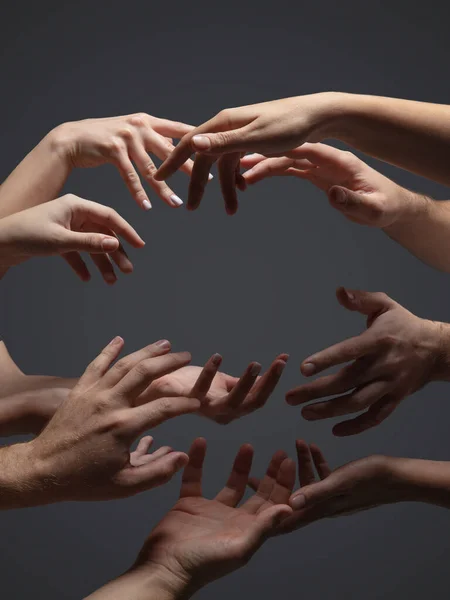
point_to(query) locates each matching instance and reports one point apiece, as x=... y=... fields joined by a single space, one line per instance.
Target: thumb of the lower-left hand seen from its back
x=152 y=474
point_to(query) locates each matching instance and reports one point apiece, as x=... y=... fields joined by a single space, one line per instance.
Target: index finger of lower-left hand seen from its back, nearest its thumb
x=150 y=415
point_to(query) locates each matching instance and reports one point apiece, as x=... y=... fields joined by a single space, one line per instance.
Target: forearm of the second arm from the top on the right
x=424 y=229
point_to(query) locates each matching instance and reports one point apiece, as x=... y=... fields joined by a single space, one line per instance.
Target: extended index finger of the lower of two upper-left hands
x=97 y=214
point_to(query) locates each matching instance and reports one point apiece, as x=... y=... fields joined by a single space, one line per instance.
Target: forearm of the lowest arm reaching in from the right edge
x=422 y=480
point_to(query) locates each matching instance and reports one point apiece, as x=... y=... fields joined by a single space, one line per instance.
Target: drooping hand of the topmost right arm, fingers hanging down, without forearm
x=270 y=128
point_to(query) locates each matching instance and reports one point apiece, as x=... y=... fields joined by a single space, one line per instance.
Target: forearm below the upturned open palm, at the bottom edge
x=144 y=584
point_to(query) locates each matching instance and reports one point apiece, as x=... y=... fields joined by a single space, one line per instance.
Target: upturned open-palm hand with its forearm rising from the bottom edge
x=201 y=540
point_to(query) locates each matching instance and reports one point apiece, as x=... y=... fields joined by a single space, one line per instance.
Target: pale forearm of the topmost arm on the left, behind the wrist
x=39 y=177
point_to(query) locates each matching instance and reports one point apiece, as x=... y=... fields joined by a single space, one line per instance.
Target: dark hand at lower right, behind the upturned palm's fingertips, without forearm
x=357 y=486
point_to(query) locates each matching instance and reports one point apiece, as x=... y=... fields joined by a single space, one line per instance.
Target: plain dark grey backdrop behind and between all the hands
x=249 y=286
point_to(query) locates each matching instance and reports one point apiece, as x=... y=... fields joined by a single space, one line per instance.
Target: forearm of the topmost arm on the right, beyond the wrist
x=409 y=134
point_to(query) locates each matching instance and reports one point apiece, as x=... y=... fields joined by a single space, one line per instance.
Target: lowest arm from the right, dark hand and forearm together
x=362 y=484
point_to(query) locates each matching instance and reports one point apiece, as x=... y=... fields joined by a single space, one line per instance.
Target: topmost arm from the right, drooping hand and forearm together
x=408 y=134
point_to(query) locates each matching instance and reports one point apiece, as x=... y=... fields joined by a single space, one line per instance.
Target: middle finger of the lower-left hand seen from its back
x=147 y=370
